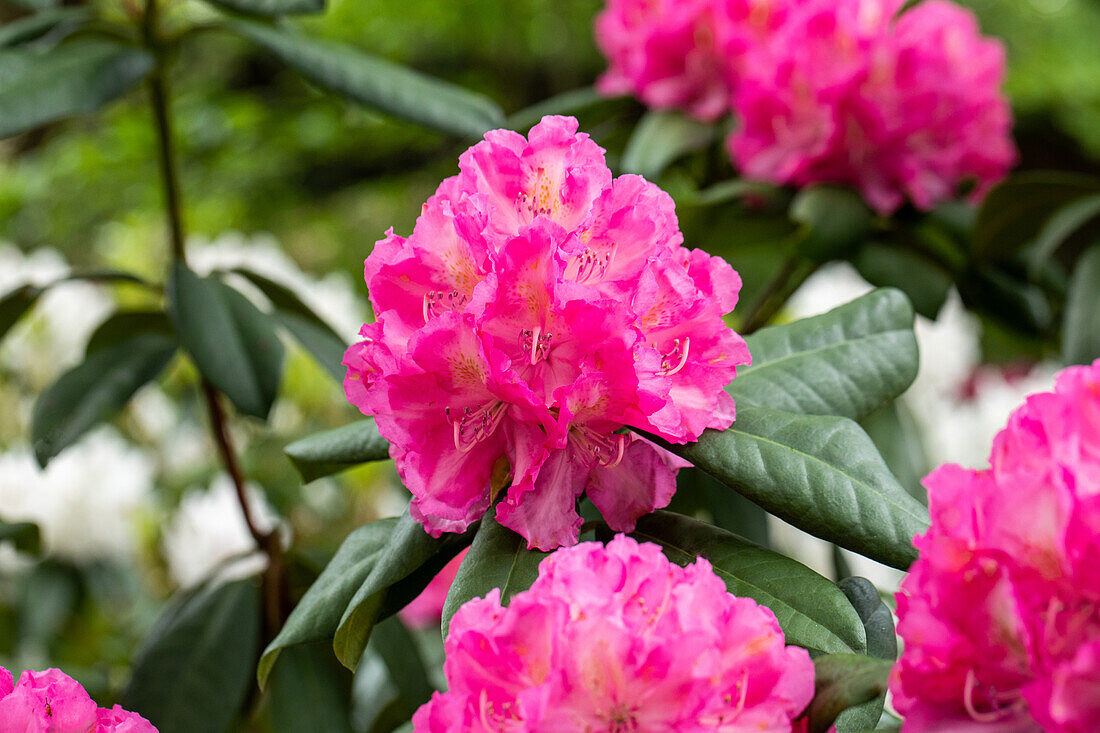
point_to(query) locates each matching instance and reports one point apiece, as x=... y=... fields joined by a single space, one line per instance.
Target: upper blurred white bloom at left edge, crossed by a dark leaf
x=54 y=336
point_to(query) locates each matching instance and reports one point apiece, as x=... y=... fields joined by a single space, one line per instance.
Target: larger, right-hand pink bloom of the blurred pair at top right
x=907 y=107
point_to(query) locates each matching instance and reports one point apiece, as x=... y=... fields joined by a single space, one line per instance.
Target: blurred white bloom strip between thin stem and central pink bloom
x=334 y=298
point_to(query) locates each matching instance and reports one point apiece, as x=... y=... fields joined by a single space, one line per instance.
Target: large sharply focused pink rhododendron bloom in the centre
x=538 y=309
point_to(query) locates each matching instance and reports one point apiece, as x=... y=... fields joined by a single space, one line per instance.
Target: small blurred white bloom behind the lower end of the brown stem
x=208 y=534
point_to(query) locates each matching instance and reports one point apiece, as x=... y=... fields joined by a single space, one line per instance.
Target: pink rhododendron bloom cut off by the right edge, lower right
x=1002 y=614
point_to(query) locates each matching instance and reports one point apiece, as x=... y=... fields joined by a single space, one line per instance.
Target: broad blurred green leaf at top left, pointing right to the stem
x=82 y=76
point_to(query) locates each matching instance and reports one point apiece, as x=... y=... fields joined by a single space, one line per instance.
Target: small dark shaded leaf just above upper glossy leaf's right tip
x=888 y=267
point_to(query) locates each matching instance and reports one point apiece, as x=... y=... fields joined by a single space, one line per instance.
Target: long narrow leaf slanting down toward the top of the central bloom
x=378 y=83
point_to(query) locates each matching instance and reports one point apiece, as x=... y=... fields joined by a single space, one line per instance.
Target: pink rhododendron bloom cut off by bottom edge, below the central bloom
x=619 y=639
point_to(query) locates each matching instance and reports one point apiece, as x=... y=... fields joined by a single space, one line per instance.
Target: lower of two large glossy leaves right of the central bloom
x=821 y=474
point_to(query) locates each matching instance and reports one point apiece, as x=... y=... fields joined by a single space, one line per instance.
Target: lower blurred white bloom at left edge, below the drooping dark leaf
x=87 y=501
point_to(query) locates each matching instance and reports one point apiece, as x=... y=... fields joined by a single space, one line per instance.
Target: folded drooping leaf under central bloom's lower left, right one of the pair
x=405 y=567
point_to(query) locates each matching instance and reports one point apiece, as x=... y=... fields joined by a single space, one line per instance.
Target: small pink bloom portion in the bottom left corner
x=51 y=702
